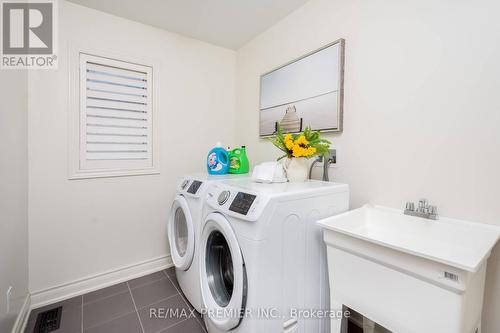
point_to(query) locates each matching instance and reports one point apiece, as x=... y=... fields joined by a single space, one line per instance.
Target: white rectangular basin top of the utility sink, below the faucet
x=453 y=242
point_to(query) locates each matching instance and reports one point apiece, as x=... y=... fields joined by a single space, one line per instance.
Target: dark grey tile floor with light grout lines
x=136 y=306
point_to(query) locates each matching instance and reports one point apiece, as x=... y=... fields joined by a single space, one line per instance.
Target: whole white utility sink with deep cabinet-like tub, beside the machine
x=409 y=274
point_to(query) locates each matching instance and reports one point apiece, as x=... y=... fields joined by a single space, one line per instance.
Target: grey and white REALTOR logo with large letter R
x=28 y=34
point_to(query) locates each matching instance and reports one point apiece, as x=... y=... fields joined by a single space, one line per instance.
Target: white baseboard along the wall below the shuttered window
x=82 y=286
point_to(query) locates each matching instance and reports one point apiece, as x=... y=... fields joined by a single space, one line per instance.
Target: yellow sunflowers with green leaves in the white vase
x=306 y=144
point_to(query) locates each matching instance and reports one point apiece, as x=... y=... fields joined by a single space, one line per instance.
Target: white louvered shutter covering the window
x=116 y=116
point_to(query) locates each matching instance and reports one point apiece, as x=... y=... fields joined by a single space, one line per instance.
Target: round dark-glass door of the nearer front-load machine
x=222 y=273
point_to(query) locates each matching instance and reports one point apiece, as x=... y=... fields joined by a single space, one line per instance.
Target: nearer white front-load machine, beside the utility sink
x=262 y=256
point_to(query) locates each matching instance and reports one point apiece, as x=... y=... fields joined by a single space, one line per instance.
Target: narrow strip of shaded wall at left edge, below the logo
x=13 y=193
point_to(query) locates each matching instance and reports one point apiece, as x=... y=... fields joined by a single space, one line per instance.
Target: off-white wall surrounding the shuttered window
x=80 y=228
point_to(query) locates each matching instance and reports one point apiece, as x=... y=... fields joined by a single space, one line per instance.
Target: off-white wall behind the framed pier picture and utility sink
x=422 y=103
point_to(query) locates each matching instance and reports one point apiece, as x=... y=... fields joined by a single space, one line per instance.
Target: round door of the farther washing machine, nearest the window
x=181 y=234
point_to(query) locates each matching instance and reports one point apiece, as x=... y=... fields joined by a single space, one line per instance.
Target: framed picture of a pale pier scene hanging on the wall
x=308 y=91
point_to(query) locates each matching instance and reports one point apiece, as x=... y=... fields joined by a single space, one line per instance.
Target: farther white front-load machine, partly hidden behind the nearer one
x=184 y=230
